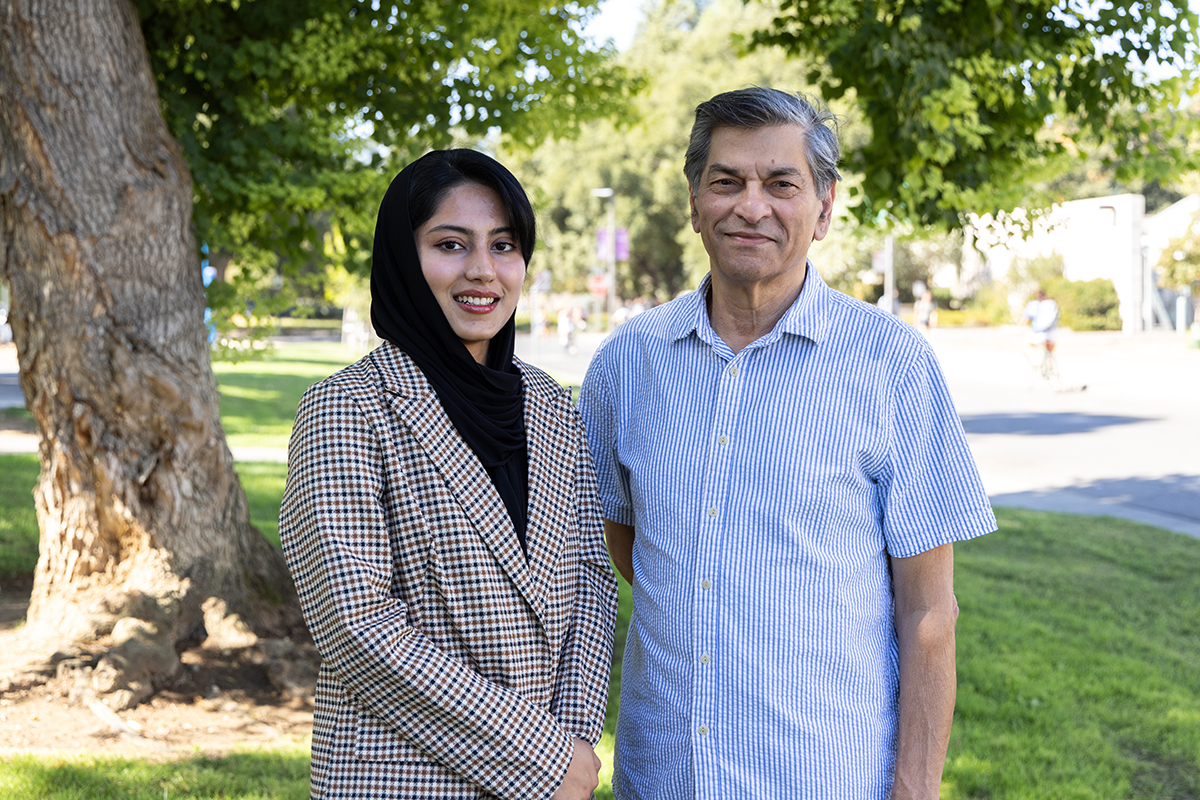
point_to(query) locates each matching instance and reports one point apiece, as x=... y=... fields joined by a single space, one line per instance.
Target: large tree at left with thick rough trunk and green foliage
x=147 y=544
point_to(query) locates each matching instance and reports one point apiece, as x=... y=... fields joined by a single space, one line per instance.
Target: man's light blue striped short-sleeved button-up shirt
x=767 y=490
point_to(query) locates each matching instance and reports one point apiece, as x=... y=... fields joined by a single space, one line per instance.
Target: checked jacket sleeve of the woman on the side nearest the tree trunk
x=340 y=552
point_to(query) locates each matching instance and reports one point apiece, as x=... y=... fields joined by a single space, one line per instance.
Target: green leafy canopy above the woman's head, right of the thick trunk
x=280 y=105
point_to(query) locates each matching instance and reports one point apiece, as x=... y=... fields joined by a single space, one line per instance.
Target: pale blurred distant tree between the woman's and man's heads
x=686 y=52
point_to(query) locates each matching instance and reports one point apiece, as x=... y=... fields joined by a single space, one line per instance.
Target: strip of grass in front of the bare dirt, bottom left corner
x=248 y=775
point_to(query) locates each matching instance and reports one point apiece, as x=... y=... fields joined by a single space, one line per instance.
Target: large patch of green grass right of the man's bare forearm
x=1079 y=661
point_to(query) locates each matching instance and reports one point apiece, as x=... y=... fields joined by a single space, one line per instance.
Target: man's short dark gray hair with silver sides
x=760 y=107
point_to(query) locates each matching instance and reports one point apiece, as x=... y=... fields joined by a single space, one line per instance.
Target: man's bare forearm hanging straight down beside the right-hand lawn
x=927 y=702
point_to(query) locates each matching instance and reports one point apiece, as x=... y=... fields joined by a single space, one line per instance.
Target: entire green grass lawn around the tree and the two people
x=1079 y=643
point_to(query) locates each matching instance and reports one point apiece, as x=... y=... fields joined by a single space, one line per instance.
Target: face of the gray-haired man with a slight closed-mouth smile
x=757 y=208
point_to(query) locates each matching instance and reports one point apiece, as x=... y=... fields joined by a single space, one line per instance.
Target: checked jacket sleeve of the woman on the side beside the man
x=581 y=689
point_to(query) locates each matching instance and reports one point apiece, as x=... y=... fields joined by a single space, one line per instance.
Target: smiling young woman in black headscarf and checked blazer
x=442 y=525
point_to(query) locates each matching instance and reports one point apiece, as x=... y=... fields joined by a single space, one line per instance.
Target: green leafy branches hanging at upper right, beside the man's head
x=971 y=103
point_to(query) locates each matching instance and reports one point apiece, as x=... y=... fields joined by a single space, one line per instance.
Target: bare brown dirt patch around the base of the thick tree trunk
x=221 y=701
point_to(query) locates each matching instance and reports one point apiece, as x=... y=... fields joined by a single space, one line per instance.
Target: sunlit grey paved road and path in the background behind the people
x=1127 y=447
